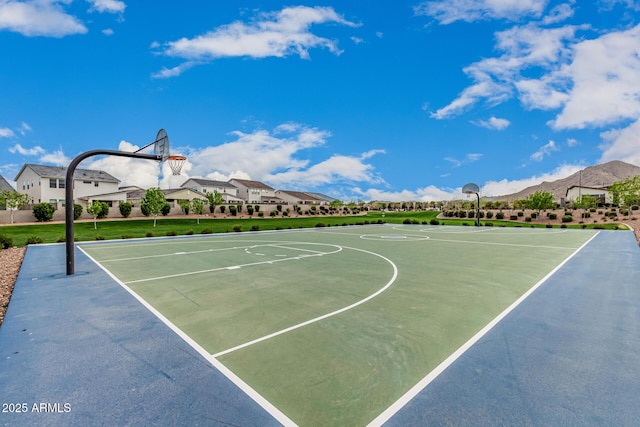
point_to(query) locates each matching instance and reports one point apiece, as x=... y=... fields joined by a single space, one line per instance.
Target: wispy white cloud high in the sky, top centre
x=277 y=34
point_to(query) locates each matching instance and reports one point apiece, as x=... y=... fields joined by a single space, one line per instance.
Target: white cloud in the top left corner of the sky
x=38 y=18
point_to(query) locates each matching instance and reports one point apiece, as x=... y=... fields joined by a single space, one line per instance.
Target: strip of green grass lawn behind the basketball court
x=20 y=235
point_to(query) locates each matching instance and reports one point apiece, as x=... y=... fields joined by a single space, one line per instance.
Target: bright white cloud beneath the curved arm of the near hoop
x=131 y=171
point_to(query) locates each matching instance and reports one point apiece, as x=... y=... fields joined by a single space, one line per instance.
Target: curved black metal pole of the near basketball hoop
x=69 y=195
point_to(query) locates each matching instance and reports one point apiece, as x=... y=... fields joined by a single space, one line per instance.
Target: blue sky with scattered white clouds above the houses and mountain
x=359 y=99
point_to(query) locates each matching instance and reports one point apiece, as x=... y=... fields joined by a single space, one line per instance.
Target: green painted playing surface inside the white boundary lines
x=331 y=326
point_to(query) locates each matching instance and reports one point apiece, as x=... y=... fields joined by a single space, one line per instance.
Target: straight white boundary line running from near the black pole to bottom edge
x=246 y=388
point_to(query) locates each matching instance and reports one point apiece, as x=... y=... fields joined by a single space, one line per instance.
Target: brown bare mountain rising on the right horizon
x=593 y=176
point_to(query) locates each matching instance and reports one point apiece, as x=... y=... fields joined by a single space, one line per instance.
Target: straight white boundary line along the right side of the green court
x=413 y=392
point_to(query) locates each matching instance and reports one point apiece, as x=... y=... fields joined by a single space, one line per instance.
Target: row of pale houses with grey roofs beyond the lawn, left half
x=48 y=184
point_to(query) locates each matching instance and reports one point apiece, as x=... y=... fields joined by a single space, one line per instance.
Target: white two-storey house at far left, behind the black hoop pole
x=47 y=183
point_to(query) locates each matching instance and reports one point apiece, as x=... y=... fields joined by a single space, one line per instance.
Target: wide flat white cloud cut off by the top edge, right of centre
x=449 y=11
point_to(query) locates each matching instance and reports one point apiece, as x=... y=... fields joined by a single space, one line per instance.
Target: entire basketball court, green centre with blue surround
x=370 y=325
